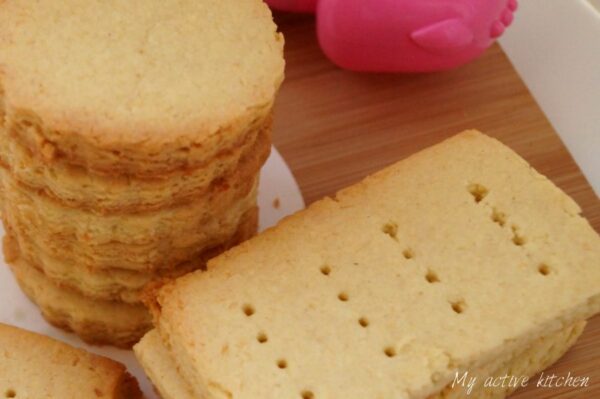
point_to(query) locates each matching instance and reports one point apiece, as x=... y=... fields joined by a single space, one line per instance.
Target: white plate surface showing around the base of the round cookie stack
x=278 y=196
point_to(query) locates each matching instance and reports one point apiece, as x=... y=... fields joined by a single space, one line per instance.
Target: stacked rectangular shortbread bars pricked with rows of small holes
x=459 y=258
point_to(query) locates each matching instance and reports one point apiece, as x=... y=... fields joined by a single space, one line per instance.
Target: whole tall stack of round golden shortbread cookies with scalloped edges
x=131 y=139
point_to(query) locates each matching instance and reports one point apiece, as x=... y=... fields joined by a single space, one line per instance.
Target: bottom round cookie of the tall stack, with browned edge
x=94 y=321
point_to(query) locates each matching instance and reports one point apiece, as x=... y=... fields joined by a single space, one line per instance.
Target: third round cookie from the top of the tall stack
x=177 y=236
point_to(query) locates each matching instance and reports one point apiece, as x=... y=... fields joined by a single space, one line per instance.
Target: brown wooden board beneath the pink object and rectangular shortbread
x=334 y=127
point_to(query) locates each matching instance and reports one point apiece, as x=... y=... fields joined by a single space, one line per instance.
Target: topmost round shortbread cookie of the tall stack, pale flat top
x=170 y=83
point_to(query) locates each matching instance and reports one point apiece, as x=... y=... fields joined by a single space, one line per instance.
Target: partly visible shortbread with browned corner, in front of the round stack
x=33 y=366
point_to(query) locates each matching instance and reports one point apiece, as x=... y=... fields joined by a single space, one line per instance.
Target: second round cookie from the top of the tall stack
x=76 y=188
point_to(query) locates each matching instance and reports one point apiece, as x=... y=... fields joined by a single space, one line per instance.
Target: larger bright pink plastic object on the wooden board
x=409 y=35
